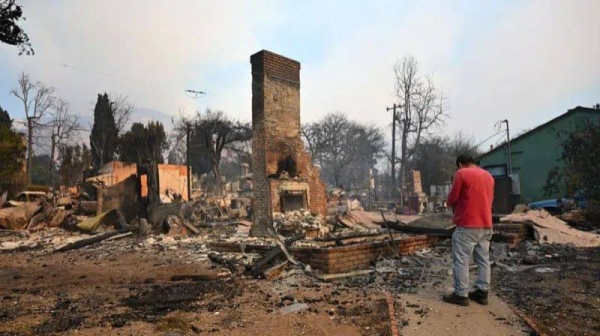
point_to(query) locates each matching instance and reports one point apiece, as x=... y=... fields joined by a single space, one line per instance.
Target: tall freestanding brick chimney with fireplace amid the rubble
x=283 y=175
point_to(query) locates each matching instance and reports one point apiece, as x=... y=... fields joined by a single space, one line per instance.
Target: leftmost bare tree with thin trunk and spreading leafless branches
x=37 y=100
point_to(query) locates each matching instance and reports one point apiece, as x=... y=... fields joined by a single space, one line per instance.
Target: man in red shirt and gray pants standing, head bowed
x=471 y=198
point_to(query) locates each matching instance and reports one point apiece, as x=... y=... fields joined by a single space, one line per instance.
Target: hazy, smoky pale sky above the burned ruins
x=526 y=61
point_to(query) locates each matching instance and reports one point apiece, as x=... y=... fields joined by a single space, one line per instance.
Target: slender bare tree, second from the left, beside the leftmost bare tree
x=62 y=126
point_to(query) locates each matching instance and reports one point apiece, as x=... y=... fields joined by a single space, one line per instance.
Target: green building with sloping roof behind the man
x=533 y=155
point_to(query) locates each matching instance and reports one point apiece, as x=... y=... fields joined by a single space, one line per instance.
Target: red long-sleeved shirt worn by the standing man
x=471 y=197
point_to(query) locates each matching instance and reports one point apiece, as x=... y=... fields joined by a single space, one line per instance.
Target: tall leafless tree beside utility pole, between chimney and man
x=421 y=109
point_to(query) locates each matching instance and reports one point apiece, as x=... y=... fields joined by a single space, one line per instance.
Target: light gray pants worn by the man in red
x=467 y=243
